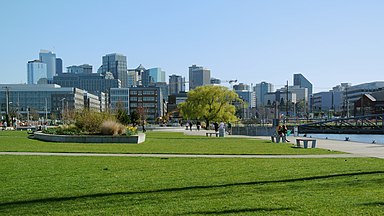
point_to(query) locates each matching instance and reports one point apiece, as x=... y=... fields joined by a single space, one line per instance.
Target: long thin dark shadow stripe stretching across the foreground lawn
x=100 y=195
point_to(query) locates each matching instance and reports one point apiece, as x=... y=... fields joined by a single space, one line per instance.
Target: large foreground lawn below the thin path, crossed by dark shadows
x=56 y=185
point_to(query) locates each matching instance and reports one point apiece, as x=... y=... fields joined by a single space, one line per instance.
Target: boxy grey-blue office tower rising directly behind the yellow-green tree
x=198 y=76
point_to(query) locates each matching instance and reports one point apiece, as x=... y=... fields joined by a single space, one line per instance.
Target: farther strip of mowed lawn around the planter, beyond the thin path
x=157 y=142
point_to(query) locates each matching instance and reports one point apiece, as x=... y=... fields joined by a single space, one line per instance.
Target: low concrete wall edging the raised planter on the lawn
x=134 y=139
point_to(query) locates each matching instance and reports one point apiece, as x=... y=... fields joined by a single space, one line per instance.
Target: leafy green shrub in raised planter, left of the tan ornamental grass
x=90 y=121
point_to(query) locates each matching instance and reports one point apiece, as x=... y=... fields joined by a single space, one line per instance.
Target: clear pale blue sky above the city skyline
x=328 y=41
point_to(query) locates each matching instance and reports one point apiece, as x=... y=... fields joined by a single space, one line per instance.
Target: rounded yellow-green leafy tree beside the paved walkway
x=210 y=103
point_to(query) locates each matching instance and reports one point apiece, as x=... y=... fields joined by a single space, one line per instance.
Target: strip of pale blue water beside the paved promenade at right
x=364 y=138
